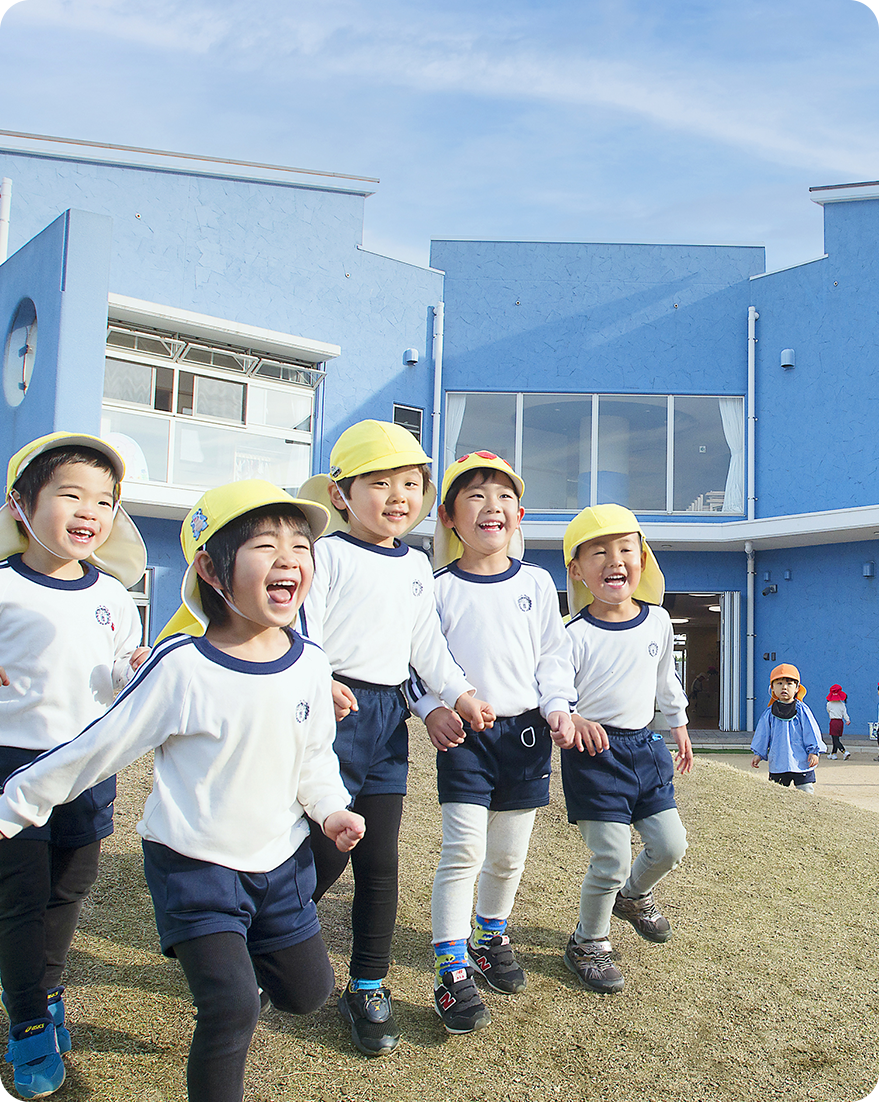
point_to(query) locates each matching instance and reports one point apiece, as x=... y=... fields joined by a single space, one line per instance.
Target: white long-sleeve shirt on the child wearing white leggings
x=507 y=633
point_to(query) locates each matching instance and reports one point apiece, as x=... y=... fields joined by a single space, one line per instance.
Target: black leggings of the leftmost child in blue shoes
x=42 y=889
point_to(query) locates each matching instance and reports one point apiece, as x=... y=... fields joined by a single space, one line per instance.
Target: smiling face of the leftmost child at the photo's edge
x=73 y=516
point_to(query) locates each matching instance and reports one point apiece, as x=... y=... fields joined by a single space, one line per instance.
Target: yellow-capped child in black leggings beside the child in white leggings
x=373 y=610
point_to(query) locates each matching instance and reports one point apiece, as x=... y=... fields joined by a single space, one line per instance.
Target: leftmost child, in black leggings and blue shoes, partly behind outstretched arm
x=70 y=639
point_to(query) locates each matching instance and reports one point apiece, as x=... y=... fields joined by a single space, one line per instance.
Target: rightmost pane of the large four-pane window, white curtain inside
x=709 y=455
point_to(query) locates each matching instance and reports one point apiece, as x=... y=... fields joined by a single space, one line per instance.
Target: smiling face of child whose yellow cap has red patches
x=485 y=514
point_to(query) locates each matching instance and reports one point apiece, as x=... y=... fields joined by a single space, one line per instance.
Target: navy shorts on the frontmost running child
x=194 y=899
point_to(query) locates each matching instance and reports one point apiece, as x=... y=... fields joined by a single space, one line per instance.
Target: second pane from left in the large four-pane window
x=557 y=450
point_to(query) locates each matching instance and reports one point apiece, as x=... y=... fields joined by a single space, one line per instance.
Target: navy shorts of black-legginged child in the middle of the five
x=373 y=743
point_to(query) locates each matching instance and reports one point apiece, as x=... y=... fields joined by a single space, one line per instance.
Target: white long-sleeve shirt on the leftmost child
x=66 y=646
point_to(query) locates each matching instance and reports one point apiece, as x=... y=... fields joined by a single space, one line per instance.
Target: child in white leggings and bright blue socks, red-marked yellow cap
x=502 y=620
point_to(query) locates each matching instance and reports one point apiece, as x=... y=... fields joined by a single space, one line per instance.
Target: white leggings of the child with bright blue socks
x=492 y=846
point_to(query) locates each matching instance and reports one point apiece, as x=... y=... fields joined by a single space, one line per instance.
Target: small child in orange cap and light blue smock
x=787 y=733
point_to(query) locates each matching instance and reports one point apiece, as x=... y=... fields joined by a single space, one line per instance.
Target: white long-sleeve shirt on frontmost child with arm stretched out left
x=241 y=750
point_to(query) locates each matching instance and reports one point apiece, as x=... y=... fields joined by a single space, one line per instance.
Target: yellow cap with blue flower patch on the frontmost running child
x=212 y=512
